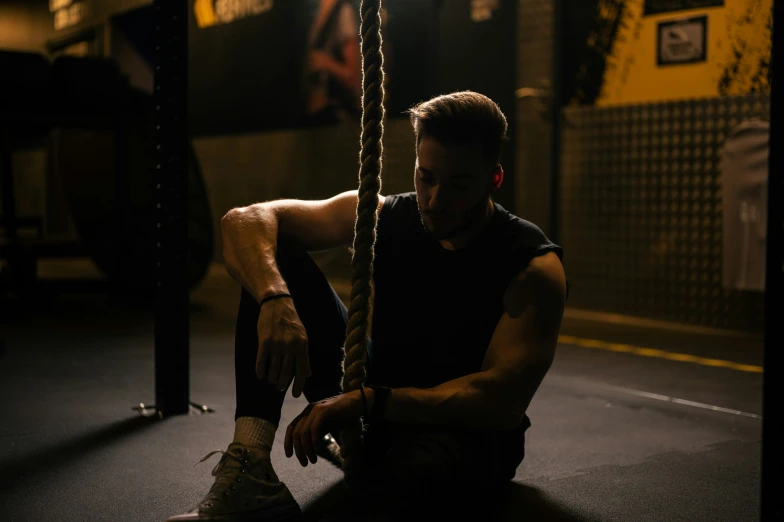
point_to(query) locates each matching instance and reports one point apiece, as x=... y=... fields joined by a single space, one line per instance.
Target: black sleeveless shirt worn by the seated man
x=435 y=310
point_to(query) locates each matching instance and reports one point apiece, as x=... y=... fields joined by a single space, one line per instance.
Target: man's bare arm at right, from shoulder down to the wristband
x=518 y=357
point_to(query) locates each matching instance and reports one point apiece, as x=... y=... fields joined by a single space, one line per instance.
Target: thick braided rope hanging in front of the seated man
x=365 y=228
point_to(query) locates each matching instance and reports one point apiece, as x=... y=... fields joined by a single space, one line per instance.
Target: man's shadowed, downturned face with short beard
x=453 y=185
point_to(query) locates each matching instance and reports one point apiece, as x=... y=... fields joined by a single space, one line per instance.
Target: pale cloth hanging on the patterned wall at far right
x=744 y=178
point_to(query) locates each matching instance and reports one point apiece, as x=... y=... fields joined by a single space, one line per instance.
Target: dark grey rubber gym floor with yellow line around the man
x=633 y=423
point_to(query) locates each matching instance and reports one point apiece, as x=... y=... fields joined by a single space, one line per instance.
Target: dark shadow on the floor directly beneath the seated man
x=515 y=502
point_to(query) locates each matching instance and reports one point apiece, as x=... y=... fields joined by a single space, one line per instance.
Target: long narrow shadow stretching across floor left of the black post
x=59 y=455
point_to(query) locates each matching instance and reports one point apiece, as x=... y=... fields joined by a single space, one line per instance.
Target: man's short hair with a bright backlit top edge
x=461 y=118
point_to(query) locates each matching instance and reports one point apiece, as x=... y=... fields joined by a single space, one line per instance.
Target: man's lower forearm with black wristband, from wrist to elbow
x=478 y=401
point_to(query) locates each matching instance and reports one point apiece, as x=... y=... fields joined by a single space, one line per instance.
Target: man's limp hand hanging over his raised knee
x=283 y=346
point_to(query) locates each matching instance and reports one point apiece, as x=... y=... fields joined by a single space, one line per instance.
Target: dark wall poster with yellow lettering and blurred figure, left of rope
x=272 y=64
